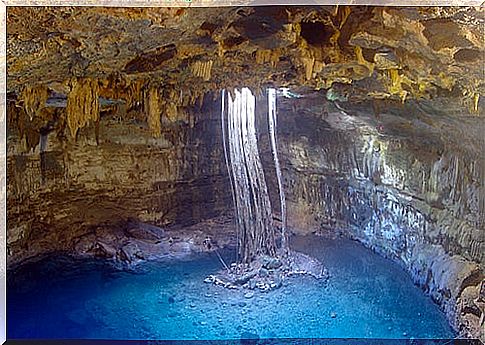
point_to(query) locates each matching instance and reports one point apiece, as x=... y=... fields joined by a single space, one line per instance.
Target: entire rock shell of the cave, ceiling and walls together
x=114 y=120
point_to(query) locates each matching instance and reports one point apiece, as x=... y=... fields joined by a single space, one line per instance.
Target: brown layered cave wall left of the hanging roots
x=63 y=190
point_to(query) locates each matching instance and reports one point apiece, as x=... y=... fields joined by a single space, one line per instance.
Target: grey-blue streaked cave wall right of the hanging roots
x=415 y=199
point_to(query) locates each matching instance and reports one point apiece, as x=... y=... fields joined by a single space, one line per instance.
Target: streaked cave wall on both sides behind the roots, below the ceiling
x=393 y=182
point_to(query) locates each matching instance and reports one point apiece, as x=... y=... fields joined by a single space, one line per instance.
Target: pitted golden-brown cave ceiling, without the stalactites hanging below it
x=381 y=52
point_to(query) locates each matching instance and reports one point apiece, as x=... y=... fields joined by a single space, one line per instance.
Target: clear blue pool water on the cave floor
x=366 y=296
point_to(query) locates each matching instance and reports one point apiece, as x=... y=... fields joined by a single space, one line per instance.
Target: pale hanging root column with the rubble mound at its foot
x=261 y=265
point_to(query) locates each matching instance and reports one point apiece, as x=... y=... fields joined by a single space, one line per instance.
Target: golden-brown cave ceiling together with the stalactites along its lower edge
x=369 y=58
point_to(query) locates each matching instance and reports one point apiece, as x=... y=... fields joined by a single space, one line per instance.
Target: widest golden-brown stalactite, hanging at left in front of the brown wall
x=82 y=104
